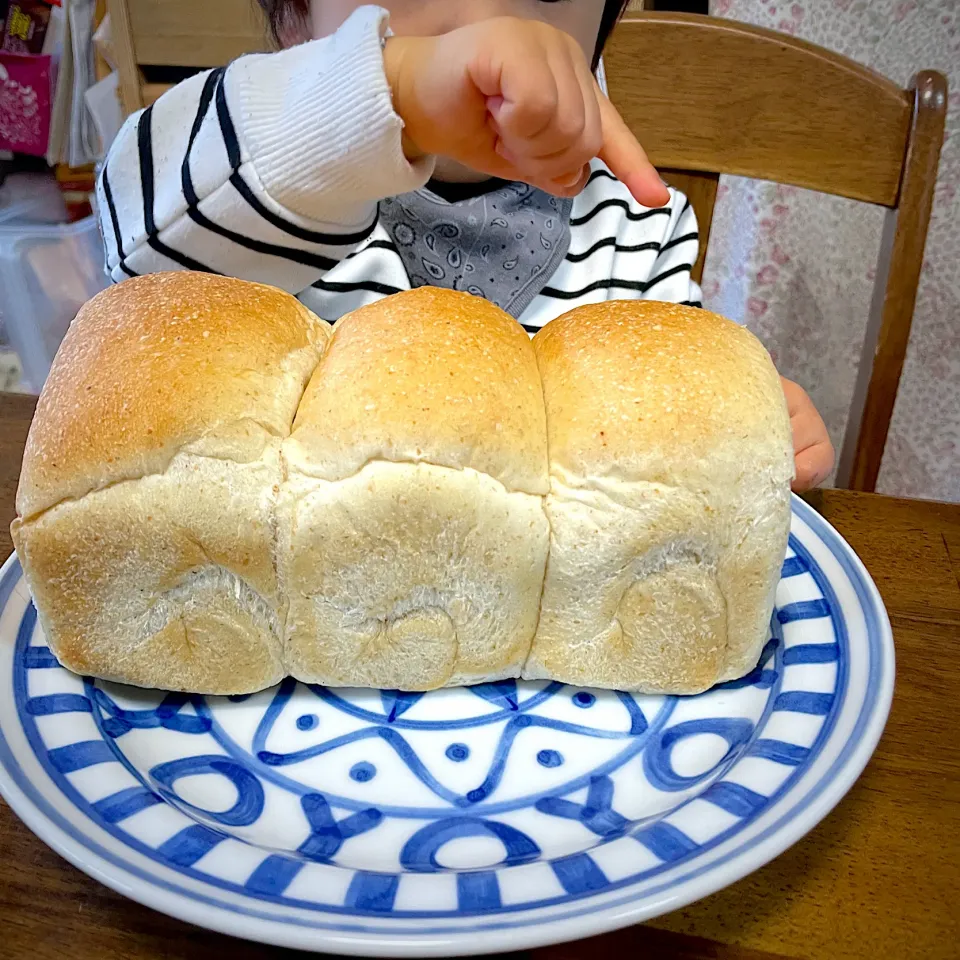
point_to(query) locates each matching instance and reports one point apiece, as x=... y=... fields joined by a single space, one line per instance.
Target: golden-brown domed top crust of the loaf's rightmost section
x=639 y=388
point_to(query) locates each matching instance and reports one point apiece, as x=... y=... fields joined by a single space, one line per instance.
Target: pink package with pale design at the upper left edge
x=25 y=95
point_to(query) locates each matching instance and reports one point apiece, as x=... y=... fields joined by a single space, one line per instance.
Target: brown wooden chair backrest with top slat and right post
x=707 y=96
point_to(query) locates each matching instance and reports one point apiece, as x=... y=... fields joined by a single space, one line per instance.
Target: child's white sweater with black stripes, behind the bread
x=272 y=169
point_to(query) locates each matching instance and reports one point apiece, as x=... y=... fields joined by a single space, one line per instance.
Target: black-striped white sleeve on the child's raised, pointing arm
x=267 y=170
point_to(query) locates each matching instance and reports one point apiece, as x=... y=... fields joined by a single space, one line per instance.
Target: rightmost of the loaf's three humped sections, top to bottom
x=669 y=503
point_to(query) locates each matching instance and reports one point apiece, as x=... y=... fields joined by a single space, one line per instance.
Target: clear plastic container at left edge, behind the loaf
x=47 y=272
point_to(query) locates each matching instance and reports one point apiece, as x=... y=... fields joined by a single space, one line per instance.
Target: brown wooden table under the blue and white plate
x=878 y=878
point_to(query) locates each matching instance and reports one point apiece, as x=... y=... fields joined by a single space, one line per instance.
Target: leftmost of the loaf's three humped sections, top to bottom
x=147 y=497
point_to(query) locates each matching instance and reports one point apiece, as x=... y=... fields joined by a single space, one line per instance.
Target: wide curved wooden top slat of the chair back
x=709 y=94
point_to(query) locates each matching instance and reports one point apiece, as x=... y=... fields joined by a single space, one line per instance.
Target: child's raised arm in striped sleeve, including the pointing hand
x=271 y=169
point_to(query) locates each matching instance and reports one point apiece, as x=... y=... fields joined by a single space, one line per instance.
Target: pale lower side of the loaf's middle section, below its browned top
x=409 y=576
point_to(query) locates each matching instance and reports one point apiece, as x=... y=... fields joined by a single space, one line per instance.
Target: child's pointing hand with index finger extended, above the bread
x=515 y=99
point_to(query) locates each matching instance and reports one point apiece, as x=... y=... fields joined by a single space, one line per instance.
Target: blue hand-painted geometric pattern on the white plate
x=412 y=745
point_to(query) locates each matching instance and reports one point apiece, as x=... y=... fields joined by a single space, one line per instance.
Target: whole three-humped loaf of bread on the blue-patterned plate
x=218 y=492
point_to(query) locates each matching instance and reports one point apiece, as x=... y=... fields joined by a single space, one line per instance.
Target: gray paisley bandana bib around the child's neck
x=503 y=245
